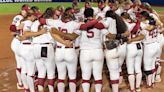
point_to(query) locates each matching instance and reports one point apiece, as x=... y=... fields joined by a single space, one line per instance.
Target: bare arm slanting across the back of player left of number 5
x=70 y=36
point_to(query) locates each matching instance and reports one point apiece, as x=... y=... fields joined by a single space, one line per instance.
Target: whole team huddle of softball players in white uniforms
x=113 y=33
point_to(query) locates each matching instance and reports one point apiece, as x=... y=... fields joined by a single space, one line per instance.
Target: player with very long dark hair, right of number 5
x=115 y=56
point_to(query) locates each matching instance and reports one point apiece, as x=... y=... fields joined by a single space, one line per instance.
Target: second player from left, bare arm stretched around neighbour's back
x=26 y=49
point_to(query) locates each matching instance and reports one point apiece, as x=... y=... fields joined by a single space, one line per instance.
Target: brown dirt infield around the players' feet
x=7 y=63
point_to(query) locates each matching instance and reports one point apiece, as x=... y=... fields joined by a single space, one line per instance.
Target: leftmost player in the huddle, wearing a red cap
x=15 y=27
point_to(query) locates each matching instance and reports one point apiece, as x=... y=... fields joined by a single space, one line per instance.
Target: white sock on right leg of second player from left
x=30 y=82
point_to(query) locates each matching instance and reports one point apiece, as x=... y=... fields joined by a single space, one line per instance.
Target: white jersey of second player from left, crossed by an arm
x=27 y=27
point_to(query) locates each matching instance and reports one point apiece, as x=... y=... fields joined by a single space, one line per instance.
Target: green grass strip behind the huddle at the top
x=13 y=8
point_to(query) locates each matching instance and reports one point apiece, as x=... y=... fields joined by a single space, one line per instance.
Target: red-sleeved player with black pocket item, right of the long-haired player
x=134 y=53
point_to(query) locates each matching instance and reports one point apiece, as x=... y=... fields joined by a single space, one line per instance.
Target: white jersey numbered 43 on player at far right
x=150 y=36
